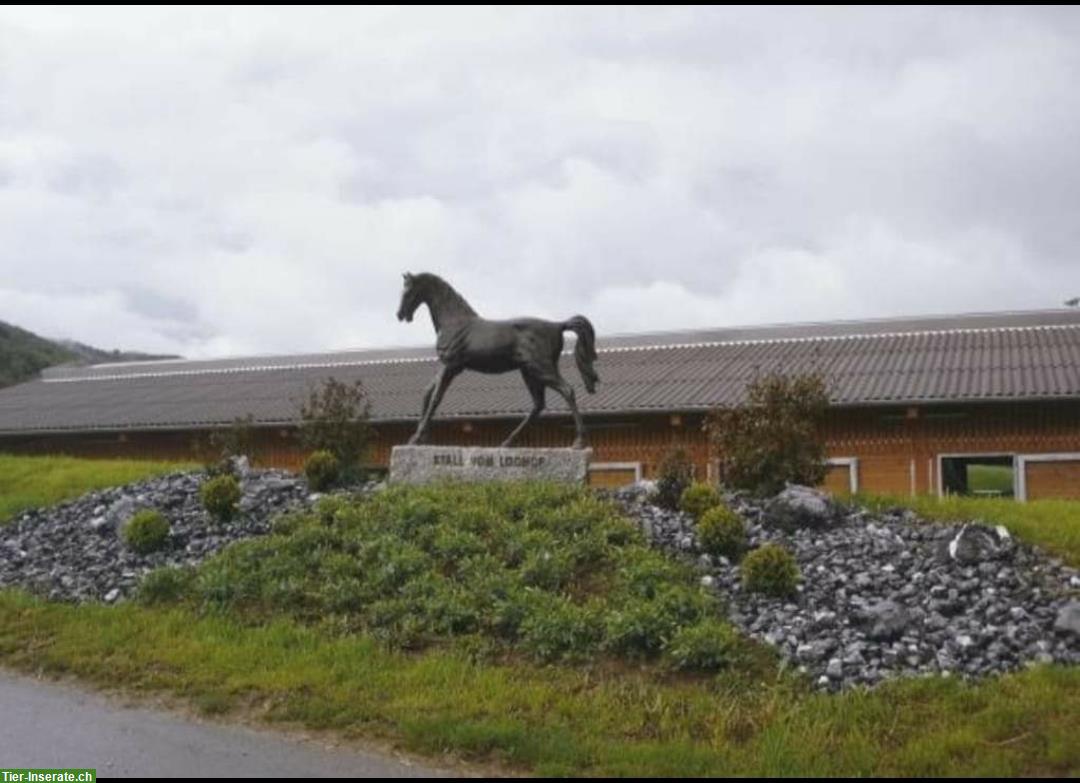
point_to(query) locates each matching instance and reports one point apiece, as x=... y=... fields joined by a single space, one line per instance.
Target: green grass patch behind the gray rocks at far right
x=1052 y=525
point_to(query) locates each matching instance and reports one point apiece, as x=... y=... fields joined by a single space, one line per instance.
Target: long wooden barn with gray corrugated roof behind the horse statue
x=916 y=402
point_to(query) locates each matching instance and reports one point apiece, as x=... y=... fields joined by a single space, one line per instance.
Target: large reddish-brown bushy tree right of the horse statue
x=775 y=437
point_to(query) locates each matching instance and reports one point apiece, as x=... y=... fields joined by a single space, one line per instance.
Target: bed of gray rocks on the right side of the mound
x=882 y=596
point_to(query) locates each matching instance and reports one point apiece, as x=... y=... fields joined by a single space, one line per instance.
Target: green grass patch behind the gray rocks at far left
x=34 y=482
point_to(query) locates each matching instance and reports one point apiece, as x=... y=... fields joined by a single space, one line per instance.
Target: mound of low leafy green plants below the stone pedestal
x=551 y=572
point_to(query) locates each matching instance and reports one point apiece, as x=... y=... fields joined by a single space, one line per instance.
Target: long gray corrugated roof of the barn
x=987 y=357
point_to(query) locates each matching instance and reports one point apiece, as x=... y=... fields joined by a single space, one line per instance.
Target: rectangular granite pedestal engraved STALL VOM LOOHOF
x=420 y=465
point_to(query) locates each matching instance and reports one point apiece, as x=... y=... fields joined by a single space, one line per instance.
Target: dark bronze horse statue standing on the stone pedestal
x=465 y=341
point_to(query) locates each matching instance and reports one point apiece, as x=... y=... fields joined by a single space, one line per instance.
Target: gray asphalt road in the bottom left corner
x=46 y=725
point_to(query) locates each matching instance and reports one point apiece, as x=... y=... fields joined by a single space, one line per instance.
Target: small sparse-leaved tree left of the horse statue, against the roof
x=335 y=418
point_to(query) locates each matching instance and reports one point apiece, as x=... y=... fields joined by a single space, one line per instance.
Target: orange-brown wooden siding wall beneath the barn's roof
x=897 y=448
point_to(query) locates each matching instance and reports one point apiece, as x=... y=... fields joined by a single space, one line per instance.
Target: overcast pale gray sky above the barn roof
x=214 y=183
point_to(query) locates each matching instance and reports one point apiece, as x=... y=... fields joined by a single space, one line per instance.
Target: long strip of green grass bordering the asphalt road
x=556 y=720
